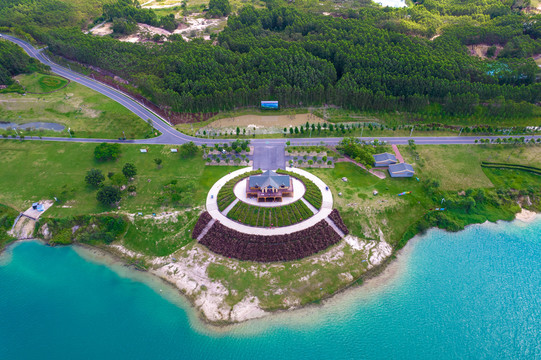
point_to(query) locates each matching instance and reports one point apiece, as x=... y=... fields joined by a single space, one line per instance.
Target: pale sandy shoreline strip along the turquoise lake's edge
x=374 y=279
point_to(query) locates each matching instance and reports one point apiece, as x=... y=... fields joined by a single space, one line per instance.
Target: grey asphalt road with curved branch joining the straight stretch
x=171 y=136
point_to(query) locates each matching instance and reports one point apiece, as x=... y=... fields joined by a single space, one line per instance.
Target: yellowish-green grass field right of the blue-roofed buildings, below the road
x=458 y=167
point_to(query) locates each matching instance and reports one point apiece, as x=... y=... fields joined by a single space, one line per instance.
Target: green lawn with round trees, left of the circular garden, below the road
x=33 y=171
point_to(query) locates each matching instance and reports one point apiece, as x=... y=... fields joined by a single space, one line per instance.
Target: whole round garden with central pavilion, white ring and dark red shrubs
x=269 y=216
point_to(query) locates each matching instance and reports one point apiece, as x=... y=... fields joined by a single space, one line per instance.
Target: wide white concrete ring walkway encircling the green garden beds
x=323 y=213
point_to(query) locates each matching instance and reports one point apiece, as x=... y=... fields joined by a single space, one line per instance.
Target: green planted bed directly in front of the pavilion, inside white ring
x=279 y=216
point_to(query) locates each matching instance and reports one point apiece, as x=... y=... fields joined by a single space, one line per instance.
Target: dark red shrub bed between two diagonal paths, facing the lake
x=294 y=246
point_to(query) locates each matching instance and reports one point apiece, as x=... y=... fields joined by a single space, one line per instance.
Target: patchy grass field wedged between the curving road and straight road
x=88 y=113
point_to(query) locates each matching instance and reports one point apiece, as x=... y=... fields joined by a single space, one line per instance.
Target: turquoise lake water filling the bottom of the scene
x=470 y=295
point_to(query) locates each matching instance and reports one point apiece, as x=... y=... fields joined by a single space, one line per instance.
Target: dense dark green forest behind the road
x=367 y=58
